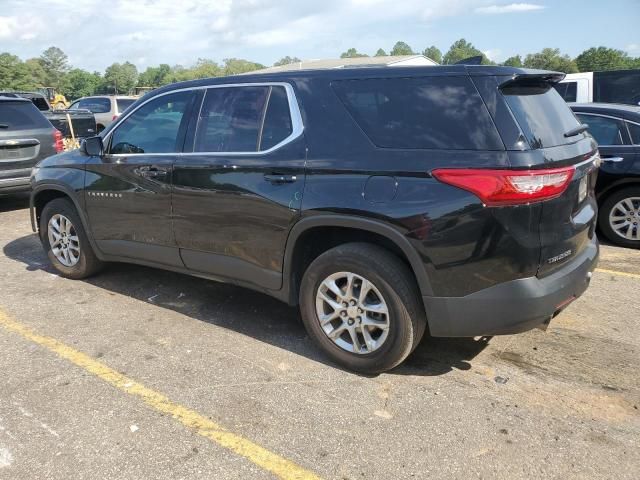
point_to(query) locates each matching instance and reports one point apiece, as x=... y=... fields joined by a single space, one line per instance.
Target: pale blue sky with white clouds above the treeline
x=97 y=33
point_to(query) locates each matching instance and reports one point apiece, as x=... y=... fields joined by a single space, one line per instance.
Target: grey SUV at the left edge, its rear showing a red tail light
x=26 y=137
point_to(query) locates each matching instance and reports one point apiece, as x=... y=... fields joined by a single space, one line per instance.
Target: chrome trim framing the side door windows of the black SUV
x=297 y=126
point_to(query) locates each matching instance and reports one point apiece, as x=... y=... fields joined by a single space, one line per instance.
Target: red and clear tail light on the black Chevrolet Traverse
x=509 y=187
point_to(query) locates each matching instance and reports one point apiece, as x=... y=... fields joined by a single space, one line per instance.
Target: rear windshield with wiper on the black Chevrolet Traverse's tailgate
x=542 y=114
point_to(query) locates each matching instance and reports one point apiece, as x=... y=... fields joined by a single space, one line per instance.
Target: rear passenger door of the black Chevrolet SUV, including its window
x=237 y=195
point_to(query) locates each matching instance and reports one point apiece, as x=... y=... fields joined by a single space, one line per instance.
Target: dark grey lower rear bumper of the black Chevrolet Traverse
x=512 y=307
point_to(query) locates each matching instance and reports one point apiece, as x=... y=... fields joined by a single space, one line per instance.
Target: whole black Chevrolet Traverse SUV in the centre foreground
x=383 y=201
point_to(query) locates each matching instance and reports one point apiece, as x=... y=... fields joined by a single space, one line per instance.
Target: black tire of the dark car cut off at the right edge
x=611 y=206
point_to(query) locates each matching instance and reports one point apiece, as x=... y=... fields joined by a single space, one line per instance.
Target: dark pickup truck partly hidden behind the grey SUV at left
x=82 y=121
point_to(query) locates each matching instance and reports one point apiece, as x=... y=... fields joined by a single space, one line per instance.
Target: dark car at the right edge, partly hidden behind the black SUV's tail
x=616 y=128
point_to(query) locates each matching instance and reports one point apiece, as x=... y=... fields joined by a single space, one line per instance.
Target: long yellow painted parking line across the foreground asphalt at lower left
x=272 y=462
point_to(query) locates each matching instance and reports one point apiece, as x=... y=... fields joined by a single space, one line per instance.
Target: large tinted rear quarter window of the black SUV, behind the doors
x=425 y=113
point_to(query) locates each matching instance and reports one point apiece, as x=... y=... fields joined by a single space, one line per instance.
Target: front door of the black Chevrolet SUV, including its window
x=128 y=189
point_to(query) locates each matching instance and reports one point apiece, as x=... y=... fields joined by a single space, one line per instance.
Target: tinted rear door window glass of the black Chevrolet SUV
x=243 y=119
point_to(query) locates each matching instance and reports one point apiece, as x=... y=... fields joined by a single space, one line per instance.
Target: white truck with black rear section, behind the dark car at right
x=615 y=86
